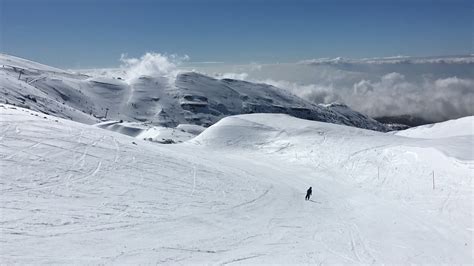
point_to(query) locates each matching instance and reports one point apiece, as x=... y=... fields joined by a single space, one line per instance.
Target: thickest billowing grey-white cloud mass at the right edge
x=432 y=99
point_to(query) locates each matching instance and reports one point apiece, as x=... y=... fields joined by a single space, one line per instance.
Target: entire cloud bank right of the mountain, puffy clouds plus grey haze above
x=433 y=88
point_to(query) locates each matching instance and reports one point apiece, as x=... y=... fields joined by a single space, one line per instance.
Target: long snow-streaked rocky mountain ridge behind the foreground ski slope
x=190 y=98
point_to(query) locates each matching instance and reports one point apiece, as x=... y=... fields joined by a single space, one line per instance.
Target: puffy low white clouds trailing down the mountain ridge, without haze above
x=391 y=95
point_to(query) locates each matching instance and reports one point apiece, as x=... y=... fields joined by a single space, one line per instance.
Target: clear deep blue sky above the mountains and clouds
x=86 y=33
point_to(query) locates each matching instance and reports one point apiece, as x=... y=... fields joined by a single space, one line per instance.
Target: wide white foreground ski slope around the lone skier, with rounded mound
x=75 y=193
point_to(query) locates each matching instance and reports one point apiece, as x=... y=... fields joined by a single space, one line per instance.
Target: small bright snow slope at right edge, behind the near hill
x=457 y=127
